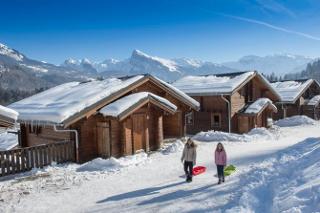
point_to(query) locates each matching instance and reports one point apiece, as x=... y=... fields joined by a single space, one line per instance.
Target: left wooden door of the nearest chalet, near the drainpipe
x=103 y=139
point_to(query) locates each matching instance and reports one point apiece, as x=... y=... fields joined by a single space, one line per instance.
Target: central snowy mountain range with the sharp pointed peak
x=139 y=62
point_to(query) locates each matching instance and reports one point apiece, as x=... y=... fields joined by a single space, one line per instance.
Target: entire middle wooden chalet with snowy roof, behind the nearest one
x=224 y=100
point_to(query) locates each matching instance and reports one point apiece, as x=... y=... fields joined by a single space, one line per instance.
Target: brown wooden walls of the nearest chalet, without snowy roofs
x=143 y=129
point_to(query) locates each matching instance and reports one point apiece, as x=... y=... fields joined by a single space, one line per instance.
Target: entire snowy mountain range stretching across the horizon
x=20 y=72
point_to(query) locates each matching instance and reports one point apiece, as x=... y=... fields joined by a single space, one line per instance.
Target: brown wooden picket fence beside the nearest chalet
x=24 y=159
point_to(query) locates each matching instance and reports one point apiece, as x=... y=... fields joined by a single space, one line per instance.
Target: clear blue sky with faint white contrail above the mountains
x=213 y=30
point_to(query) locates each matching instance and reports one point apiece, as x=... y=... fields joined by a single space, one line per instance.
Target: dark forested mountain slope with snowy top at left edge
x=18 y=72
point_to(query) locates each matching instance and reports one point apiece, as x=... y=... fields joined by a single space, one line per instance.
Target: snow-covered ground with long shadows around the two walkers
x=277 y=171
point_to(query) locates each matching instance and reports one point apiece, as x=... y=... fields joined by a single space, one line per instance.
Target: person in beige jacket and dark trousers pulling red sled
x=188 y=158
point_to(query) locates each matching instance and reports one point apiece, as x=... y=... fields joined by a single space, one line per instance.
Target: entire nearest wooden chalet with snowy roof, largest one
x=112 y=117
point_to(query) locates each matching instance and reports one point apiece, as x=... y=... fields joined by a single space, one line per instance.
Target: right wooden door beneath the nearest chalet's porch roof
x=138 y=128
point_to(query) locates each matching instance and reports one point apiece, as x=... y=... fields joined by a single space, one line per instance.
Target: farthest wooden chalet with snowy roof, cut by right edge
x=298 y=97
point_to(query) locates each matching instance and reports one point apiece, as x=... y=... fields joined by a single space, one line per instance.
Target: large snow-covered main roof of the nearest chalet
x=60 y=103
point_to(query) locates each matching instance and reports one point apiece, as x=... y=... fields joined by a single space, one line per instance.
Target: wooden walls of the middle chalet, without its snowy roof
x=214 y=109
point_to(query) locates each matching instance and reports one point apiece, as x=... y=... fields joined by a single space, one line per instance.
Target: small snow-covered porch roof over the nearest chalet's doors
x=124 y=104
